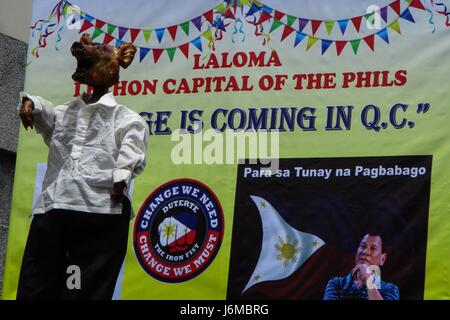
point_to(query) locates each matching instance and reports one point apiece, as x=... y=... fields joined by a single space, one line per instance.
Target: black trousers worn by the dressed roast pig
x=95 y=244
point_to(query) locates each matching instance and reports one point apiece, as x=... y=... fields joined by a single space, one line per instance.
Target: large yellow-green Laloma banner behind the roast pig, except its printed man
x=281 y=133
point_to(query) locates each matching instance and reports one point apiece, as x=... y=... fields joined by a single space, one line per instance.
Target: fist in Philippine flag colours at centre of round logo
x=177 y=232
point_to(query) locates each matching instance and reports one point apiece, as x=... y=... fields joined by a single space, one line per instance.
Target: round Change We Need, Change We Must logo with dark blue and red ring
x=178 y=230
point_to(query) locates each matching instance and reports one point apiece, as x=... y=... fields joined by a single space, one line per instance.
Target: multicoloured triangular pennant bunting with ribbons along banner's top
x=218 y=19
